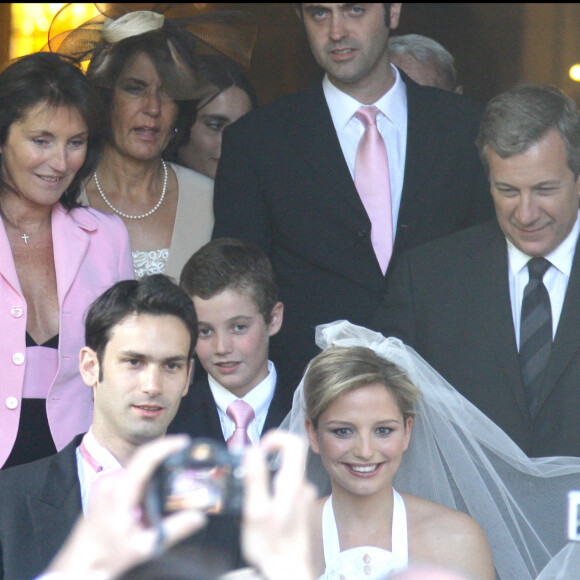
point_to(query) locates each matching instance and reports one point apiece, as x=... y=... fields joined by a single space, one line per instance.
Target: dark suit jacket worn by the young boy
x=198 y=415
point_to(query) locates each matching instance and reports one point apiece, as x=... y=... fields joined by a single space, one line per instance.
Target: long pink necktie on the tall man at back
x=371 y=178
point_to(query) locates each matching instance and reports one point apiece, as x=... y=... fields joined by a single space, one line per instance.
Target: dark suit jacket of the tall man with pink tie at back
x=283 y=183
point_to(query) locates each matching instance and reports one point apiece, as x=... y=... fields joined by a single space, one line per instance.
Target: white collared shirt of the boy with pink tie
x=259 y=398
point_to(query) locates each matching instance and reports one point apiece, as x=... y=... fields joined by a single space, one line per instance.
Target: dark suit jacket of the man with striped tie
x=450 y=301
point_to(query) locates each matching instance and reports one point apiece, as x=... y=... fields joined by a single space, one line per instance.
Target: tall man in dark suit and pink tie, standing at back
x=286 y=177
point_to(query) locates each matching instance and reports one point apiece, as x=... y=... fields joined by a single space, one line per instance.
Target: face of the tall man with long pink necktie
x=350 y=42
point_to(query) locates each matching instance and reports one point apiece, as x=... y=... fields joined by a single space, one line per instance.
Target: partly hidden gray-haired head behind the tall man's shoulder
x=426 y=61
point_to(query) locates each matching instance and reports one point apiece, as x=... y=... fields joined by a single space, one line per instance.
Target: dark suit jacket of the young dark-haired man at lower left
x=41 y=501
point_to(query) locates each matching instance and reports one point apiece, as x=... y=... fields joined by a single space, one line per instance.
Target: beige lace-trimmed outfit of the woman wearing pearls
x=192 y=229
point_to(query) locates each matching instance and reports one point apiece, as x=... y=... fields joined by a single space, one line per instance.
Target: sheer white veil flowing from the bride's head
x=459 y=458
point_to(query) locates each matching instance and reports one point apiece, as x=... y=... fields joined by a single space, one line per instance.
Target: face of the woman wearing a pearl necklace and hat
x=143 y=115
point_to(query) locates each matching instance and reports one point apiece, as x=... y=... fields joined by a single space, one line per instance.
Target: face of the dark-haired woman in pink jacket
x=43 y=151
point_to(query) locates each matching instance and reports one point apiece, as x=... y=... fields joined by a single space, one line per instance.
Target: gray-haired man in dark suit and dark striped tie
x=496 y=308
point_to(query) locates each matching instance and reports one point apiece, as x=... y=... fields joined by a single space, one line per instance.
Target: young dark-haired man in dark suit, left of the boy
x=140 y=338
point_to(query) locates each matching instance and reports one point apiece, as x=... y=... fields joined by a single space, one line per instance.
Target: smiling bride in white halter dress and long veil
x=360 y=423
